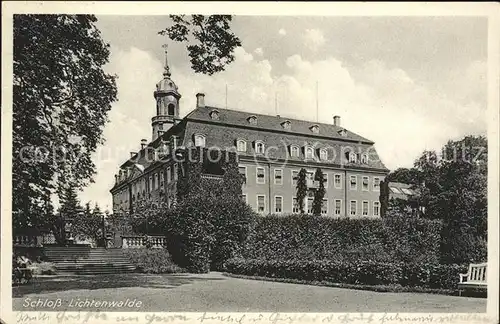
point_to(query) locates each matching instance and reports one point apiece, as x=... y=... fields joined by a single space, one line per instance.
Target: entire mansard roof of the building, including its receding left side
x=230 y=125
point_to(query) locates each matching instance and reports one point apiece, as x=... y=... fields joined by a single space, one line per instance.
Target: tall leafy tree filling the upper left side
x=61 y=99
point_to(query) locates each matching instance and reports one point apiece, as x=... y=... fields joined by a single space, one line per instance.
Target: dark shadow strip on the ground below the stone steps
x=94 y=282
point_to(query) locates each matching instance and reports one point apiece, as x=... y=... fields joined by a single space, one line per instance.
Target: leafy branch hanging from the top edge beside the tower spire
x=212 y=41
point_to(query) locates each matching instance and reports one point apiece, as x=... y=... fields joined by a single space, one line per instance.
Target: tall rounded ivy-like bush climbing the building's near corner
x=209 y=222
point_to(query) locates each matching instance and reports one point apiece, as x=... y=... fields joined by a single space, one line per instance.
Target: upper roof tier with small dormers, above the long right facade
x=273 y=123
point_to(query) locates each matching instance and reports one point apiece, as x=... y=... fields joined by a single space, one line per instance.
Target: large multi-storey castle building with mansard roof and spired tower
x=271 y=151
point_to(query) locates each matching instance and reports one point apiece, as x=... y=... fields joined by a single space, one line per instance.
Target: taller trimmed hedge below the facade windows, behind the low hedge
x=299 y=237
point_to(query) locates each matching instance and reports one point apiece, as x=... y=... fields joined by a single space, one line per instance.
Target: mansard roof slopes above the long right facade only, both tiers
x=223 y=133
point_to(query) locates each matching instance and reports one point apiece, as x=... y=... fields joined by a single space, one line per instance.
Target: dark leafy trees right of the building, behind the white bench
x=453 y=189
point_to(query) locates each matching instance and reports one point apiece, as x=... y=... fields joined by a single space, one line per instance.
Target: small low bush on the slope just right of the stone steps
x=152 y=261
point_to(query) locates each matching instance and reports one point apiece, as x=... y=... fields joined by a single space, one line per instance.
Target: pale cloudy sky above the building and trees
x=407 y=83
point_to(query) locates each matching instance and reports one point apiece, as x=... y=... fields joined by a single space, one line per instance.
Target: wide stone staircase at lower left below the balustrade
x=88 y=261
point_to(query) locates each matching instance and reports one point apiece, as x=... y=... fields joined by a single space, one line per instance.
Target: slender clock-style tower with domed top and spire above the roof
x=167 y=102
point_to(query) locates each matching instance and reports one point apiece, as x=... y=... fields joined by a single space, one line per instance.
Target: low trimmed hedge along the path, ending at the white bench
x=432 y=276
